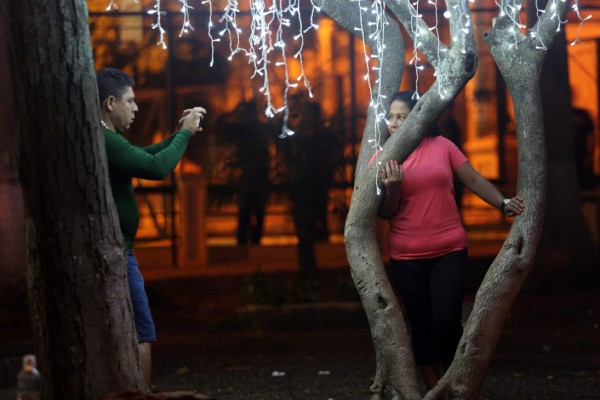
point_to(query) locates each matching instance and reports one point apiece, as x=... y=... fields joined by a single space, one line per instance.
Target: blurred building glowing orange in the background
x=179 y=76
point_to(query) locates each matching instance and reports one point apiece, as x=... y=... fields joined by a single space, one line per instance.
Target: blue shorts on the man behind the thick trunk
x=144 y=324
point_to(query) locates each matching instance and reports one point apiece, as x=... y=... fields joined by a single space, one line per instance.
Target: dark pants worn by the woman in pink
x=432 y=291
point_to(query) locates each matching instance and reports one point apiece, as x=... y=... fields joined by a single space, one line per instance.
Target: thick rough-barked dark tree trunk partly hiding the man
x=76 y=275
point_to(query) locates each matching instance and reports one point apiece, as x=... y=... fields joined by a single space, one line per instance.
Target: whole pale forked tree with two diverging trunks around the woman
x=521 y=66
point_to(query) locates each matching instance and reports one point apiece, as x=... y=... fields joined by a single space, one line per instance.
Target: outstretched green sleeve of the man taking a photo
x=129 y=160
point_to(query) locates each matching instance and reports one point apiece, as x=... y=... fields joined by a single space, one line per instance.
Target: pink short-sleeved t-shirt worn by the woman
x=427 y=223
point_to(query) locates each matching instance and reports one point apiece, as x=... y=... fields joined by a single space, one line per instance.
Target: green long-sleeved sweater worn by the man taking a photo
x=126 y=161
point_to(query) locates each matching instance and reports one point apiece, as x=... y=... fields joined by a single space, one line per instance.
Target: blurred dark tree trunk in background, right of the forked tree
x=567 y=247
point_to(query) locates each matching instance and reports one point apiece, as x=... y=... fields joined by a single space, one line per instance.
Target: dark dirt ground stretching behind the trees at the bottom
x=211 y=344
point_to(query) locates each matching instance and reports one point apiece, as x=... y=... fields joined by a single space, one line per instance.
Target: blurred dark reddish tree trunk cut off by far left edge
x=12 y=220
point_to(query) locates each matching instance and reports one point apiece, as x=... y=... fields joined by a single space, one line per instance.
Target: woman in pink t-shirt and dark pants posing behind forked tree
x=427 y=243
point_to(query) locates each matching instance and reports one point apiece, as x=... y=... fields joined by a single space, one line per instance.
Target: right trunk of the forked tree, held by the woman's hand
x=520 y=66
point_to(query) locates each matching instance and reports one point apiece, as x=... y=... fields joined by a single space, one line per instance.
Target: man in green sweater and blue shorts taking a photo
x=125 y=161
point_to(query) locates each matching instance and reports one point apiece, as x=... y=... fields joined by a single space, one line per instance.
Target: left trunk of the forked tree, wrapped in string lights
x=395 y=364
